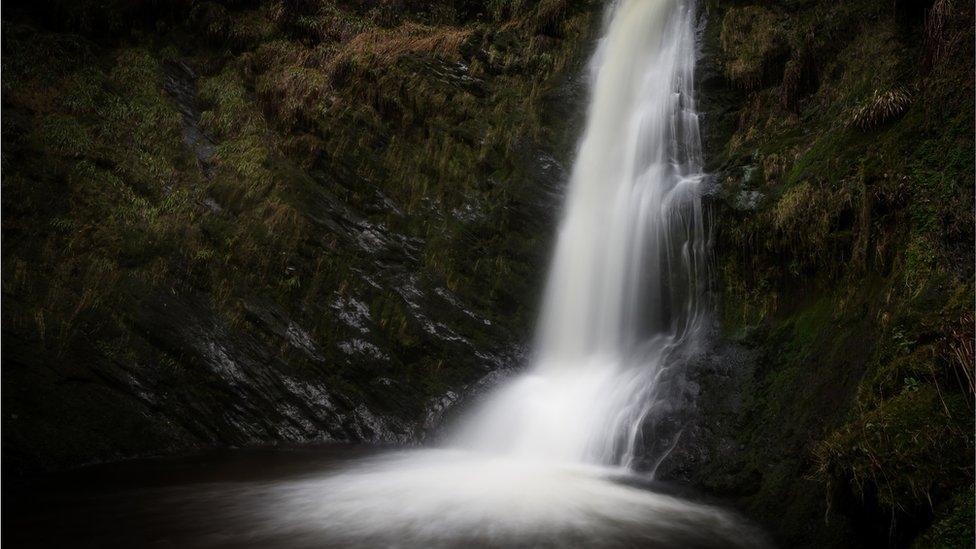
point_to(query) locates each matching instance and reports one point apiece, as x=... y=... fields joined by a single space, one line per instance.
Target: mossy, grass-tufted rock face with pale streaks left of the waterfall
x=272 y=222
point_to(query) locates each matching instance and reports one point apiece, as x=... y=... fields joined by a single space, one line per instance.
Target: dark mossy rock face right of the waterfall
x=838 y=375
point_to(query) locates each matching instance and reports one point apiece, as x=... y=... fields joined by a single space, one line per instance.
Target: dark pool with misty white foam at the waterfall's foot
x=348 y=496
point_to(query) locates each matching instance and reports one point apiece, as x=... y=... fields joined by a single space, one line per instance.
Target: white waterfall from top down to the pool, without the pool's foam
x=625 y=292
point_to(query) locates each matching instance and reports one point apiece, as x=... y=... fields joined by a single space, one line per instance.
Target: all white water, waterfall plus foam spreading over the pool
x=539 y=463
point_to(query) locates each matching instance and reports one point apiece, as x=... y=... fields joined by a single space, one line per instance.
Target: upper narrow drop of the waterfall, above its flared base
x=630 y=242
